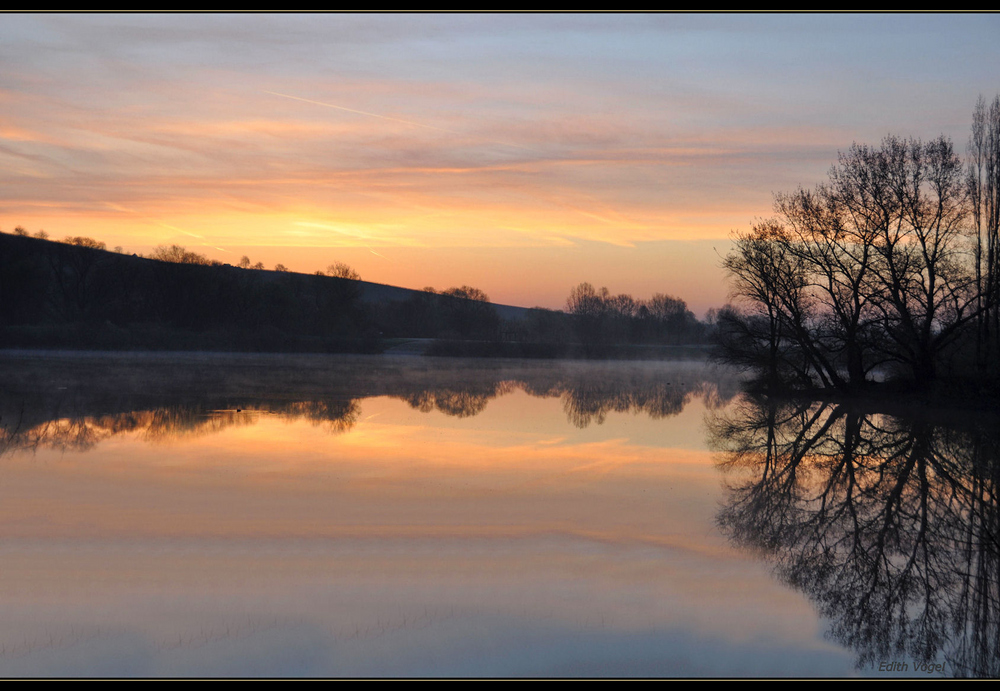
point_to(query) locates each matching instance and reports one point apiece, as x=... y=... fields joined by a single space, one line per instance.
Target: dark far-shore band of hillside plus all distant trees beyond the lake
x=77 y=294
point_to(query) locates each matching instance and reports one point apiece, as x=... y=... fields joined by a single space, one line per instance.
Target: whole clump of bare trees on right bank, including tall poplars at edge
x=890 y=269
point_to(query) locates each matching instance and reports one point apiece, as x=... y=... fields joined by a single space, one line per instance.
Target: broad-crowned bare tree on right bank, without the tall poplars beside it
x=873 y=266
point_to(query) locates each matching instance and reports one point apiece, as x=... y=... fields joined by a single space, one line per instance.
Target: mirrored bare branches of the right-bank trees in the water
x=888 y=522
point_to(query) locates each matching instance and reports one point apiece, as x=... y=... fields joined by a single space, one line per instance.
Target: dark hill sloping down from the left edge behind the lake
x=76 y=294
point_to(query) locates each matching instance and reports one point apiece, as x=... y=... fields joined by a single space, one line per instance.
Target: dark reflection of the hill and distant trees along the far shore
x=80 y=405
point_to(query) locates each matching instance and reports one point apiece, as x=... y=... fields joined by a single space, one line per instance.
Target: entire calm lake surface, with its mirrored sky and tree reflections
x=308 y=515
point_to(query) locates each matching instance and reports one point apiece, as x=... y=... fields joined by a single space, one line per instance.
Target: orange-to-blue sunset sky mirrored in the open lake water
x=506 y=543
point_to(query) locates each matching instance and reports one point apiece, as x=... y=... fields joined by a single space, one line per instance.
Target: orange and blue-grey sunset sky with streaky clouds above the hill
x=518 y=153
